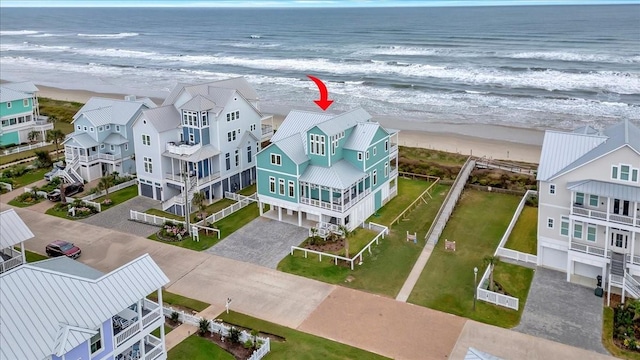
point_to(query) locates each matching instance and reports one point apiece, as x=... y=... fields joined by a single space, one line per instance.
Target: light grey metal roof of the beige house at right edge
x=563 y=152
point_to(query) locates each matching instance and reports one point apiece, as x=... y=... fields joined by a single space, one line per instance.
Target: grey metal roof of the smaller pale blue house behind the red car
x=103 y=111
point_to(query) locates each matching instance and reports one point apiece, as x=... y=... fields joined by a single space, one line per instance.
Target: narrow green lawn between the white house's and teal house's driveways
x=226 y=226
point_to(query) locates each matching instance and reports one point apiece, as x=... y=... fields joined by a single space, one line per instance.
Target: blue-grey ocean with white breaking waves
x=533 y=67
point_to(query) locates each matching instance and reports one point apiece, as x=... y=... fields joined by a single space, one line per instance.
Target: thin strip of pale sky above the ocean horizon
x=296 y=3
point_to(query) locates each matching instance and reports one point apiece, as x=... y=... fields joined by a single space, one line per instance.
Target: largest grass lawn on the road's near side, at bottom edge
x=298 y=345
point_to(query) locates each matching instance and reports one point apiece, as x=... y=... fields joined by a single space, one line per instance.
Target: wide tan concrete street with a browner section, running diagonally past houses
x=382 y=325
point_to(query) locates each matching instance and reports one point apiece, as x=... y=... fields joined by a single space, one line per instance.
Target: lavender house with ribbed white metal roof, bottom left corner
x=60 y=309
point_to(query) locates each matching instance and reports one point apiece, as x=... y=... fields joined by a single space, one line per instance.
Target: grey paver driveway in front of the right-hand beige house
x=564 y=312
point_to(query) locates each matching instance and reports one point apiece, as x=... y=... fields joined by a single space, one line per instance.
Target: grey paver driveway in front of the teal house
x=262 y=242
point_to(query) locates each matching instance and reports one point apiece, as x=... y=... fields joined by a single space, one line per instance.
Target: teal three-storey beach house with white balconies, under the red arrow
x=323 y=169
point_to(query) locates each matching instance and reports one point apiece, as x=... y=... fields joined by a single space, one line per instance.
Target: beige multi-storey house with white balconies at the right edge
x=589 y=204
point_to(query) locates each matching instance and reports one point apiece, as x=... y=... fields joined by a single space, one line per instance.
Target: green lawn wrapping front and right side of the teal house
x=392 y=259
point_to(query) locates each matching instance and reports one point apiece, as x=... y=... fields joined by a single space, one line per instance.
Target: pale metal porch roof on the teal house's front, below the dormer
x=340 y=175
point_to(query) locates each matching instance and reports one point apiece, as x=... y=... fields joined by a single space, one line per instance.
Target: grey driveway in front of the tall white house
x=117 y=217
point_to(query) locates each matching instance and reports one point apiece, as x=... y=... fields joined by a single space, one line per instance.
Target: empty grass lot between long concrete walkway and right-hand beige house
x=446 y=284
